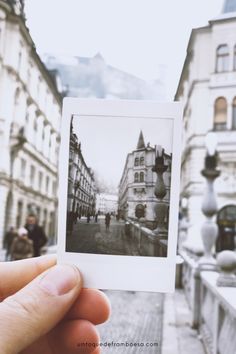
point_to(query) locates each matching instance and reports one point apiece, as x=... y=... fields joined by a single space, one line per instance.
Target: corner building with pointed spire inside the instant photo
x=136 y=189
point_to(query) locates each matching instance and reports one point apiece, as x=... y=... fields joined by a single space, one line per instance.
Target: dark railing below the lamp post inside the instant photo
x=149 y=244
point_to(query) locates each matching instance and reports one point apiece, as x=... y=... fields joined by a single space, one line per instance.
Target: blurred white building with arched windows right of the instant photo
x=207 y=88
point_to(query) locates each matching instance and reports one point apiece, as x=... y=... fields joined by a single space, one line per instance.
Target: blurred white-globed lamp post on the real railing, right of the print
x=209 y=205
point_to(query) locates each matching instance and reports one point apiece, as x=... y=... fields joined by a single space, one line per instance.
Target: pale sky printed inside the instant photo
x=106 y=141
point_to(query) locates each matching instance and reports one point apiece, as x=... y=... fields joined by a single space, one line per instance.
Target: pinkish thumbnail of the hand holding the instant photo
x=60 y=279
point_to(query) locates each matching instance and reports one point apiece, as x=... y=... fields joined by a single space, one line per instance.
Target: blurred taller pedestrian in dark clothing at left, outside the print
x=36 y=234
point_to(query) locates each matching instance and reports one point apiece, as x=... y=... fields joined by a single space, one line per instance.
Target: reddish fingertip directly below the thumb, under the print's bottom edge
x=91 y=305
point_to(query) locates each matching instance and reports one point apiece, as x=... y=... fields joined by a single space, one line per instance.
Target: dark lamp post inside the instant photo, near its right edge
x=160 y=192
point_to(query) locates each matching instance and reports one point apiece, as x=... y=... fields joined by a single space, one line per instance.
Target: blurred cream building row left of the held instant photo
x=30 y=111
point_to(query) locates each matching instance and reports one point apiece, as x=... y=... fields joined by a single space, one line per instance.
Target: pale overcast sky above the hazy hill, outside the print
x=147 y=38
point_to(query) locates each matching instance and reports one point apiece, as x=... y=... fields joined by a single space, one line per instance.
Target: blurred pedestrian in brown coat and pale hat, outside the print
x=22 y=246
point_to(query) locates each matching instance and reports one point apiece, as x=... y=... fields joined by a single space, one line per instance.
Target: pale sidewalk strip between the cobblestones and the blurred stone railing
x=178 y=337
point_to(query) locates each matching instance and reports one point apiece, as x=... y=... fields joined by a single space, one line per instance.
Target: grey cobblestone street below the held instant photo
x=136 y=318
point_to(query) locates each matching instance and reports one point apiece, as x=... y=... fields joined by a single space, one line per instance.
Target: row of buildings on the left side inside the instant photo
x=81 y=182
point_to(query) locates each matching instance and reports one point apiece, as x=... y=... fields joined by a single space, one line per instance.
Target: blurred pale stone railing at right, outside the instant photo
x=213 y=308
